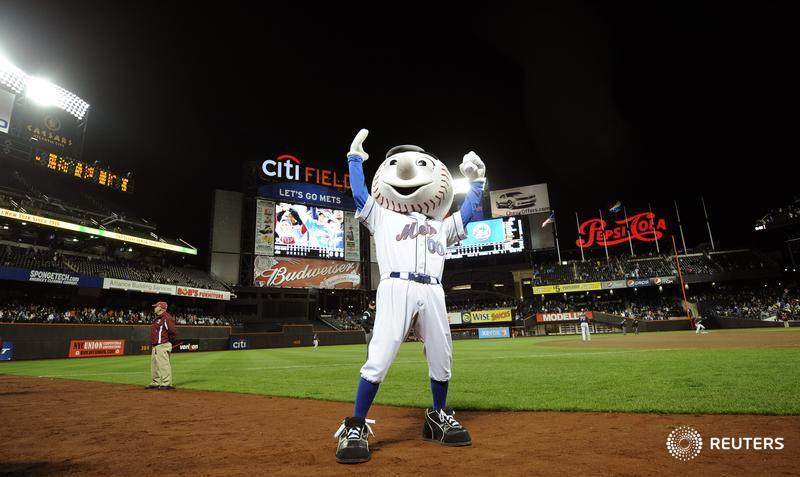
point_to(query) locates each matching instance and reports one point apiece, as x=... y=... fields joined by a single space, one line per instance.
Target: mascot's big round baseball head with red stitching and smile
x=412 y=180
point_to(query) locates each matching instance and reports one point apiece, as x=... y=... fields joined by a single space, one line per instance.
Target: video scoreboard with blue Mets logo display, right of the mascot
x=490 y=237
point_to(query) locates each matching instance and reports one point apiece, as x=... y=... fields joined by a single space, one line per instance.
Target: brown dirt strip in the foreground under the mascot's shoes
x=61 y=427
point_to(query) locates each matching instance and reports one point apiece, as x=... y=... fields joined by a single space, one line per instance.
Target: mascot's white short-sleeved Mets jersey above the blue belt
x=410 y=242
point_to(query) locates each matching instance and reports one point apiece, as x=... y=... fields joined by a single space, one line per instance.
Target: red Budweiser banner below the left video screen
x=305 y=273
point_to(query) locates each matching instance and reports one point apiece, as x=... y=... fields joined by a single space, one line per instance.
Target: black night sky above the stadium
x=631 y=102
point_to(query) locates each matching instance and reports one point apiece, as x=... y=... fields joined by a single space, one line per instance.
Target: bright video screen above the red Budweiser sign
x=308 y=231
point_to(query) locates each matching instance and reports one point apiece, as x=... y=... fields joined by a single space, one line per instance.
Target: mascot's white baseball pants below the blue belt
x=401 y=304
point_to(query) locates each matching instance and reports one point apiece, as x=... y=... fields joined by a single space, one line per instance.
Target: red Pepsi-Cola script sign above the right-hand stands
x=645 y=227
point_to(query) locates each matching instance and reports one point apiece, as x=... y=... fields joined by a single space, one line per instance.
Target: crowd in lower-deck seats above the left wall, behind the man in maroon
x=24 y=312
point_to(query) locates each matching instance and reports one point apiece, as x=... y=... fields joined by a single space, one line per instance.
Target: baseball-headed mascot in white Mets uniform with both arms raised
x=406 y=213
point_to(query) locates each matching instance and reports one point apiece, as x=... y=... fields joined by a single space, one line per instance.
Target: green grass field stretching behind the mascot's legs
x=504 y=374
